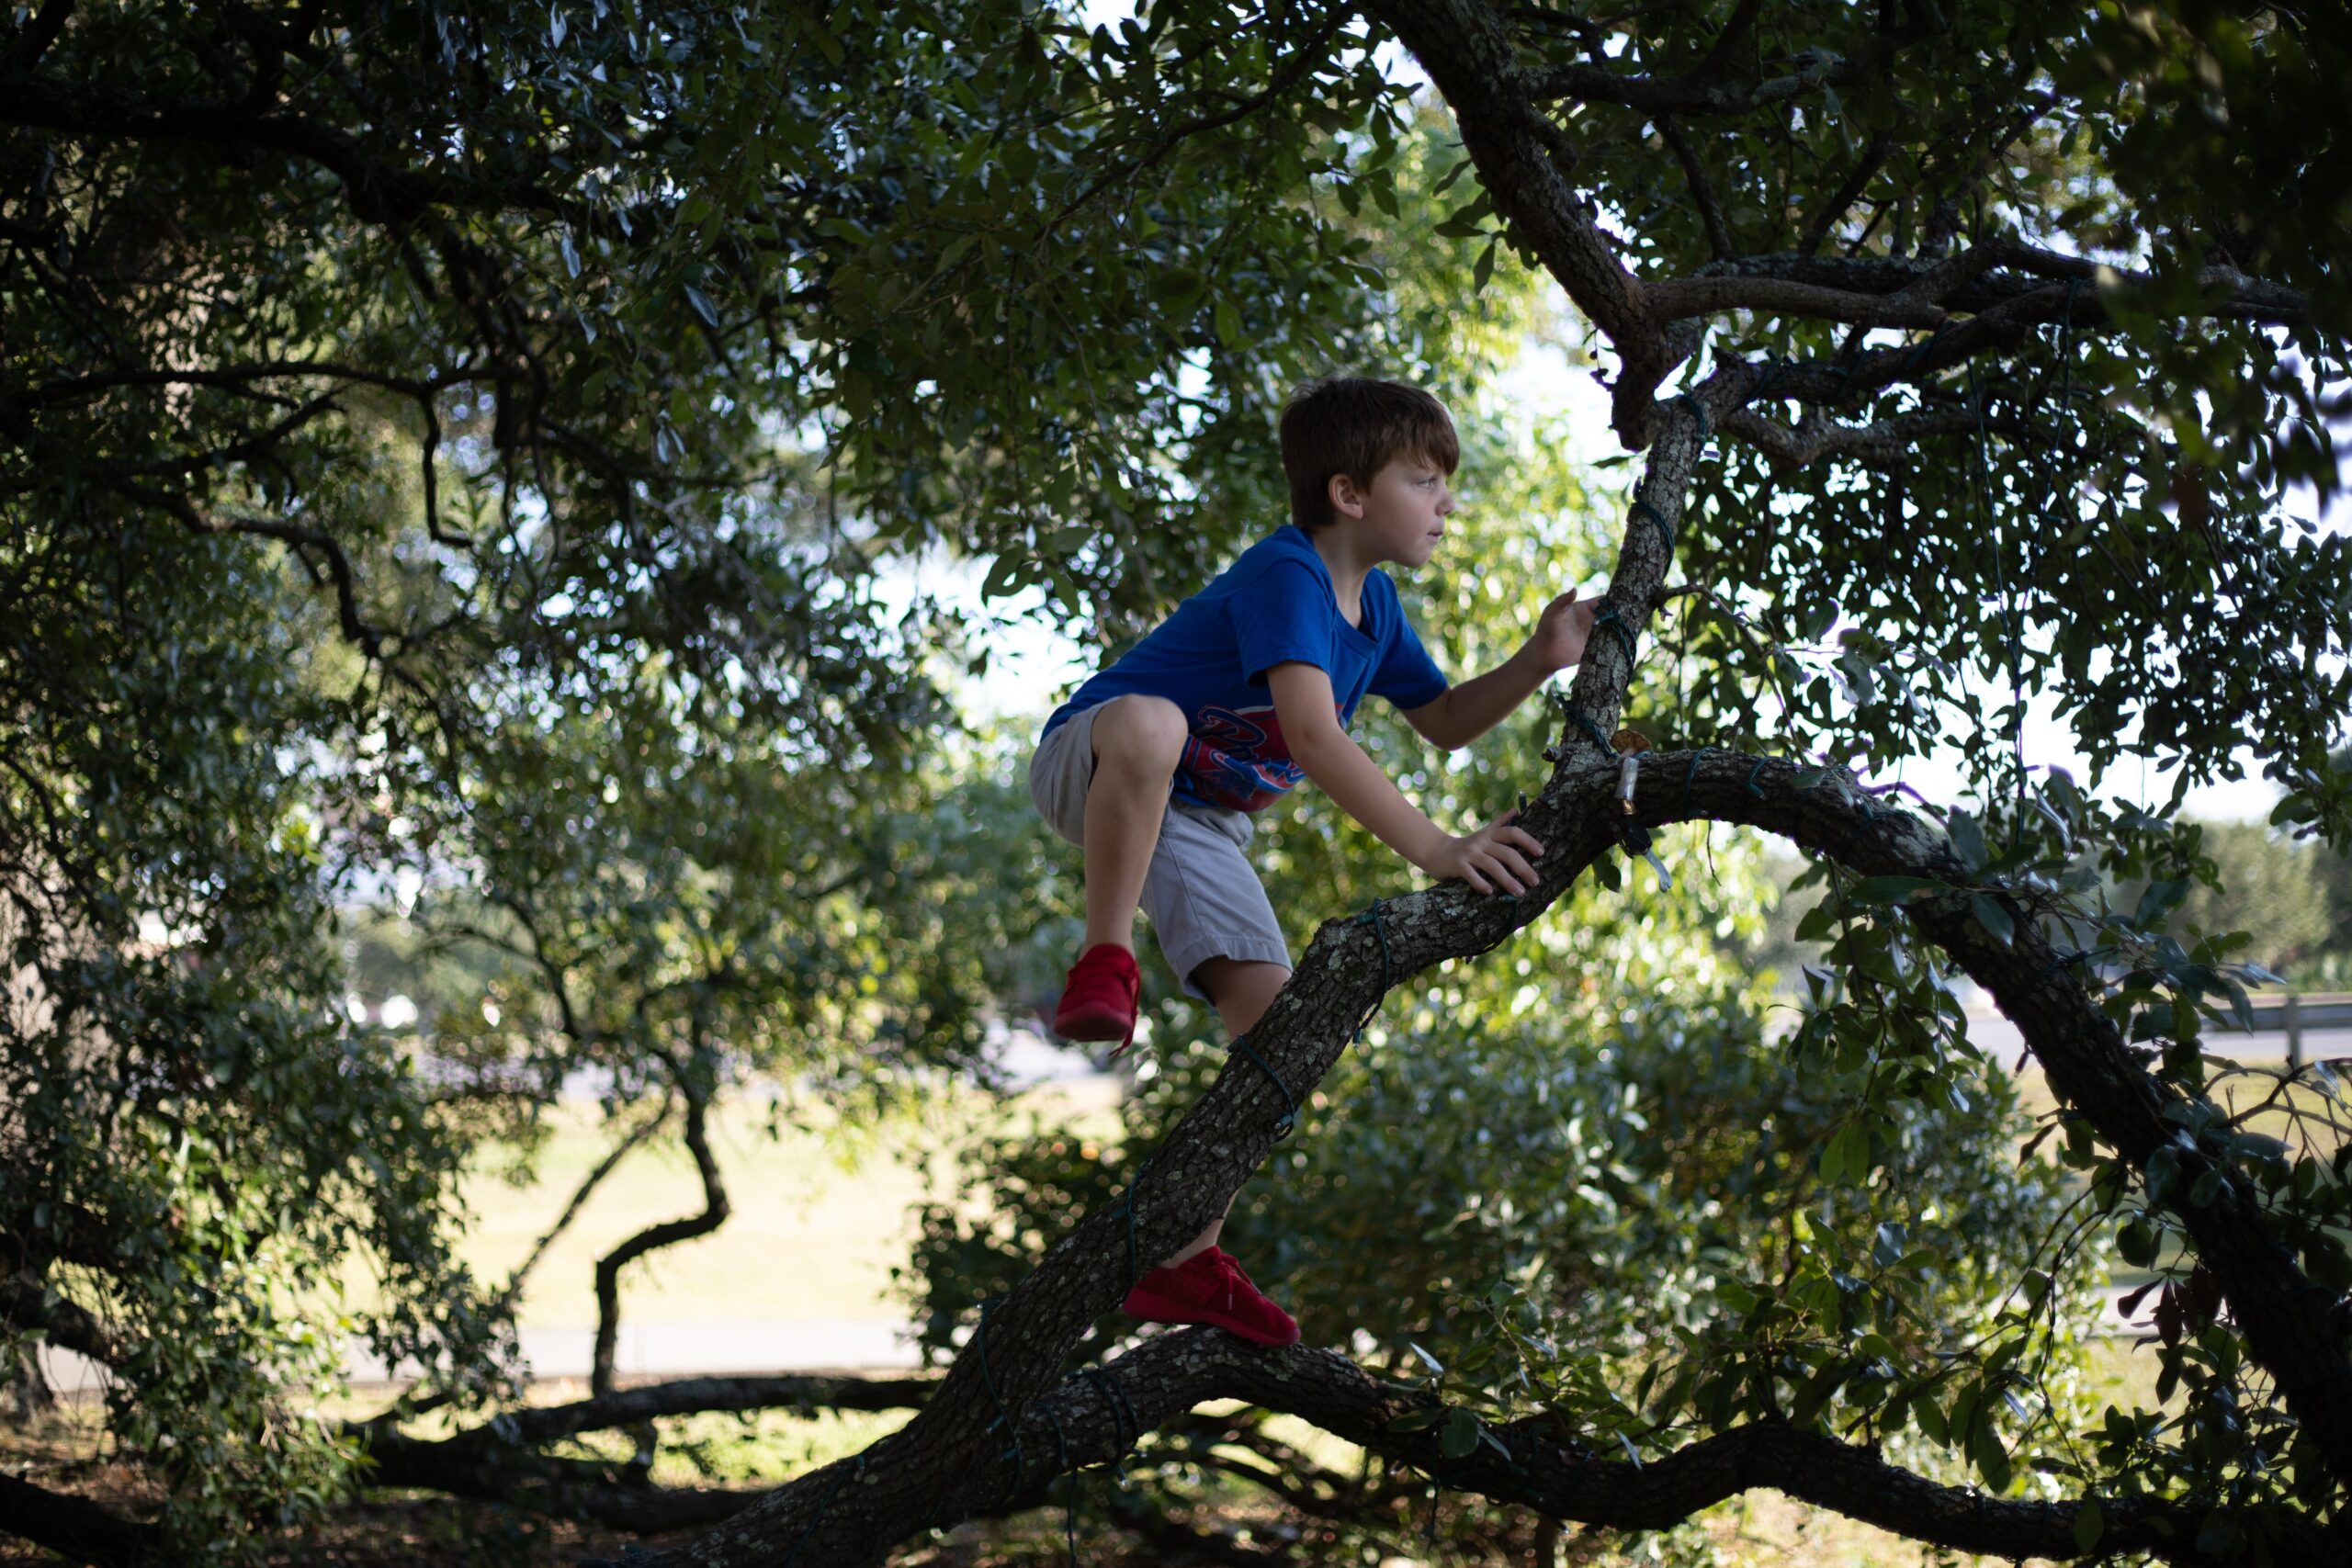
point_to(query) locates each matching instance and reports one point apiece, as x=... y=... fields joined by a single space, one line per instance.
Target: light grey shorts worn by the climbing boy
x=1203 y=894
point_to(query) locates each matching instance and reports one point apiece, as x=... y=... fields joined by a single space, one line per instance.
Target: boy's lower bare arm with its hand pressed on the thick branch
x=1488 y=859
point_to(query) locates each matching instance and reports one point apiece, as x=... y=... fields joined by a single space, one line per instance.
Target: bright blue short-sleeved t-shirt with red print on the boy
x=1210 y=657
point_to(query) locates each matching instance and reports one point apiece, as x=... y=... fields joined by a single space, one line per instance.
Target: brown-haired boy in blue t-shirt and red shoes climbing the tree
x=1158 y=763
